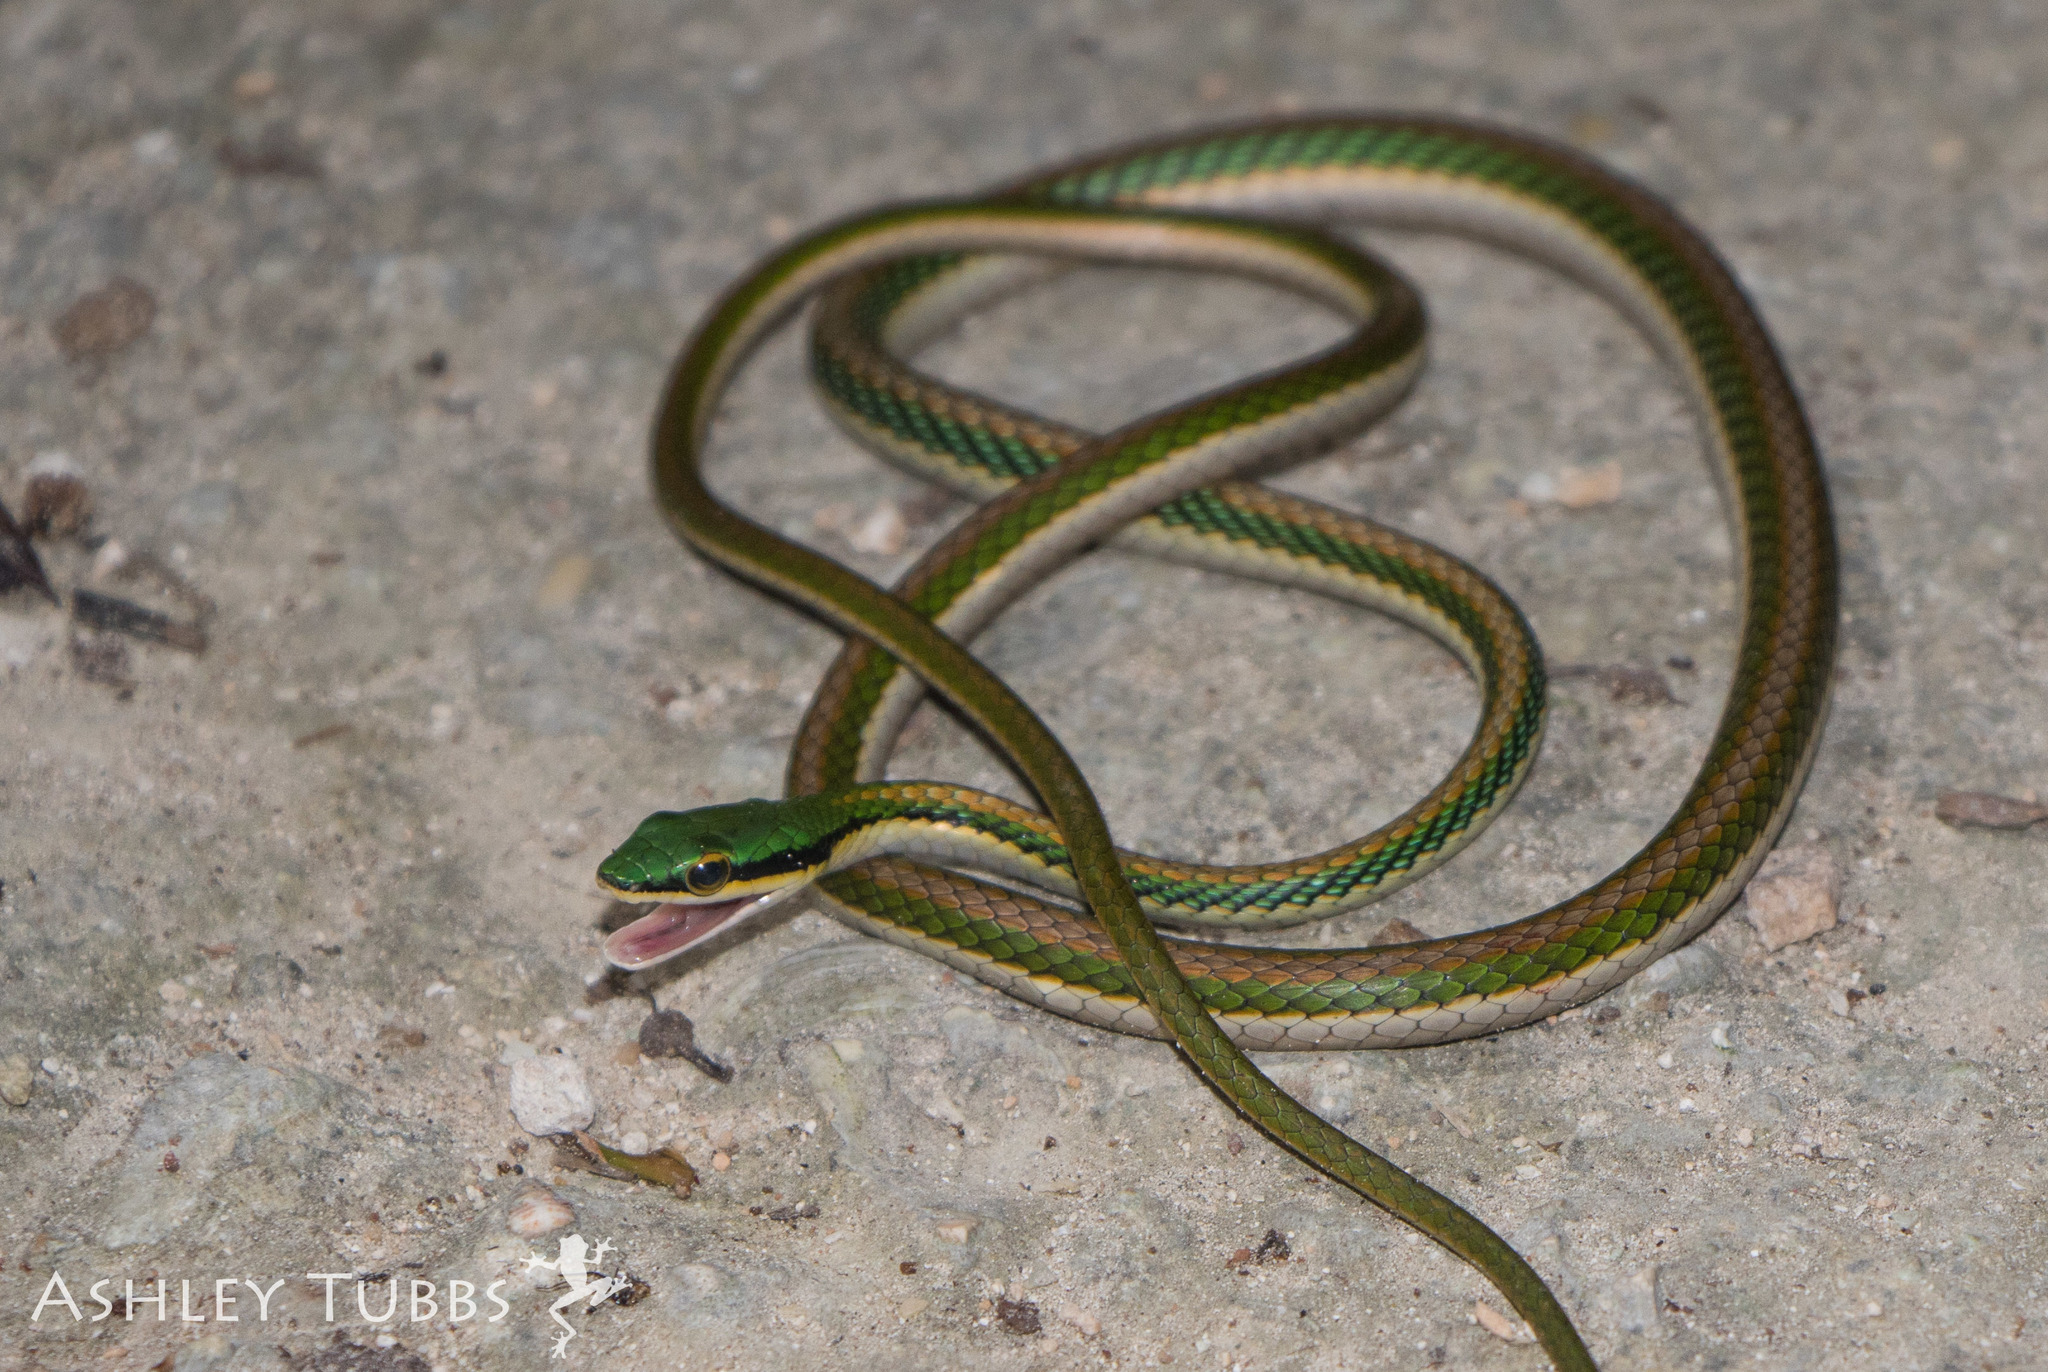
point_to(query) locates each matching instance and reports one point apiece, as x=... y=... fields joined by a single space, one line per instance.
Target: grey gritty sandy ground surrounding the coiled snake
x=284 y=916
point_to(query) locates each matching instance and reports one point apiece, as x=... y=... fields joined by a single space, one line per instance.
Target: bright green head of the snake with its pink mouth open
x=706 y=871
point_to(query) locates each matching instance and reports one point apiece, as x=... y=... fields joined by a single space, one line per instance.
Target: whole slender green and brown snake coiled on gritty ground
x=1041 y=904
